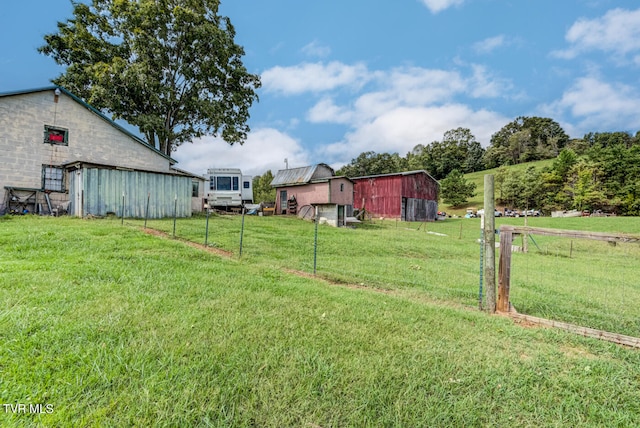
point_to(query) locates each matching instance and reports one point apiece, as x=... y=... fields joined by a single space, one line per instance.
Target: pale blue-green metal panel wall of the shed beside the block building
x=103 y=190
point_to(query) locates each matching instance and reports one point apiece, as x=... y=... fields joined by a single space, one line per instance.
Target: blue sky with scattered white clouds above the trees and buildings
x=345 y=76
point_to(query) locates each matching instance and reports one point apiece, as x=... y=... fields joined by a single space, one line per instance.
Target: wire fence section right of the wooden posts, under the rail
x=587 y=283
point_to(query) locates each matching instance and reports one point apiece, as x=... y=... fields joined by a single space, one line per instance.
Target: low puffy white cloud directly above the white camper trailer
x=264 y=149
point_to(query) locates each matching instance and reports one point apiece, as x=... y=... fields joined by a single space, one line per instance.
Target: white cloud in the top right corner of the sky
x=617 y=32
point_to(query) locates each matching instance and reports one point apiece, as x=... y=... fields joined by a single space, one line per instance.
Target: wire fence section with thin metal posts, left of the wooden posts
x=382 y=254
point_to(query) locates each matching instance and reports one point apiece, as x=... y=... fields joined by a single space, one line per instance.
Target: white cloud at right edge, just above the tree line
x=598 y=106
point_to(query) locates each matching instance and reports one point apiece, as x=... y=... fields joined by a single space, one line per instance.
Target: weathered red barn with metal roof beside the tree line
x=410 y=196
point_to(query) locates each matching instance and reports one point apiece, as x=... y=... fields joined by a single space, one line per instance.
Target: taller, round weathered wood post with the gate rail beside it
x=489 y=243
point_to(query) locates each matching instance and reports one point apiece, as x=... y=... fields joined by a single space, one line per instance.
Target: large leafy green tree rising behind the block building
x=169 y=67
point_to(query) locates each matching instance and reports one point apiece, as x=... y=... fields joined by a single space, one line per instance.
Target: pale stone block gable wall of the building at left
x=76 y=133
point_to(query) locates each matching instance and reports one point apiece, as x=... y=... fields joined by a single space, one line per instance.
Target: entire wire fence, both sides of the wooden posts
x=588 y=283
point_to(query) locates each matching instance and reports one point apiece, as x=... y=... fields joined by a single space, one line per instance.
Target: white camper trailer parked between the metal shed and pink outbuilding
x=227 y=187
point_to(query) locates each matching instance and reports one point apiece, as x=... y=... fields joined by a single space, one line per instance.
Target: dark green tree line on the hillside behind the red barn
x=597 y=172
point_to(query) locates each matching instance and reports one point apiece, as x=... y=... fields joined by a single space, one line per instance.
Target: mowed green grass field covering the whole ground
x=106 y=324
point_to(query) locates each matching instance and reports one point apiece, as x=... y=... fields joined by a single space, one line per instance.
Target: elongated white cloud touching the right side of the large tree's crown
x=313 y=77
